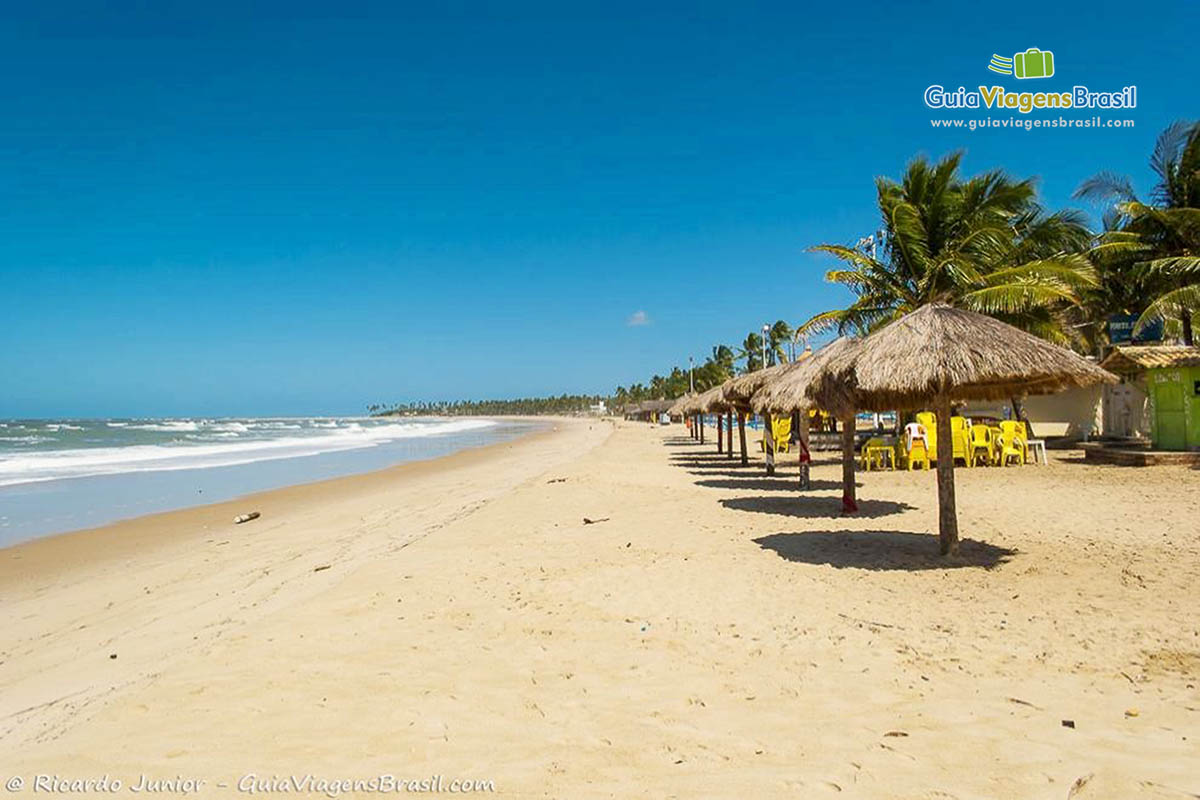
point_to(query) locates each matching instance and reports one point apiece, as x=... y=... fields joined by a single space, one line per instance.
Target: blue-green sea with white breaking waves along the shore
x=63 y=476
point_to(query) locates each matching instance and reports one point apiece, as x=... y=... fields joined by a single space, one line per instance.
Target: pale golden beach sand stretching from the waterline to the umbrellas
x=719 y=636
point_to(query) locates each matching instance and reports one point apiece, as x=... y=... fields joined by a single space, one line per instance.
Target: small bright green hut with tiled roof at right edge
x=1172 y=377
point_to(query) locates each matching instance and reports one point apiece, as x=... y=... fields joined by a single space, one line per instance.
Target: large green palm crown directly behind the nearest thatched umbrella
x=982 y=244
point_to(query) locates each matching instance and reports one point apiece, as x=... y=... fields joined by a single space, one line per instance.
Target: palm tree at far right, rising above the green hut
x=1161 y=238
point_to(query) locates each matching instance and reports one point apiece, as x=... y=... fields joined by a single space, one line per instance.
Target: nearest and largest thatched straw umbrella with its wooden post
x=939 y=356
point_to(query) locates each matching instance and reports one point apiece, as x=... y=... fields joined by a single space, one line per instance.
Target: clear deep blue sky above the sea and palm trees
x=295 y=208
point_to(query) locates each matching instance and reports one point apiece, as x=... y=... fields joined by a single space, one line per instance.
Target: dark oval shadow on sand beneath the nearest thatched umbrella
x=881 y=550
